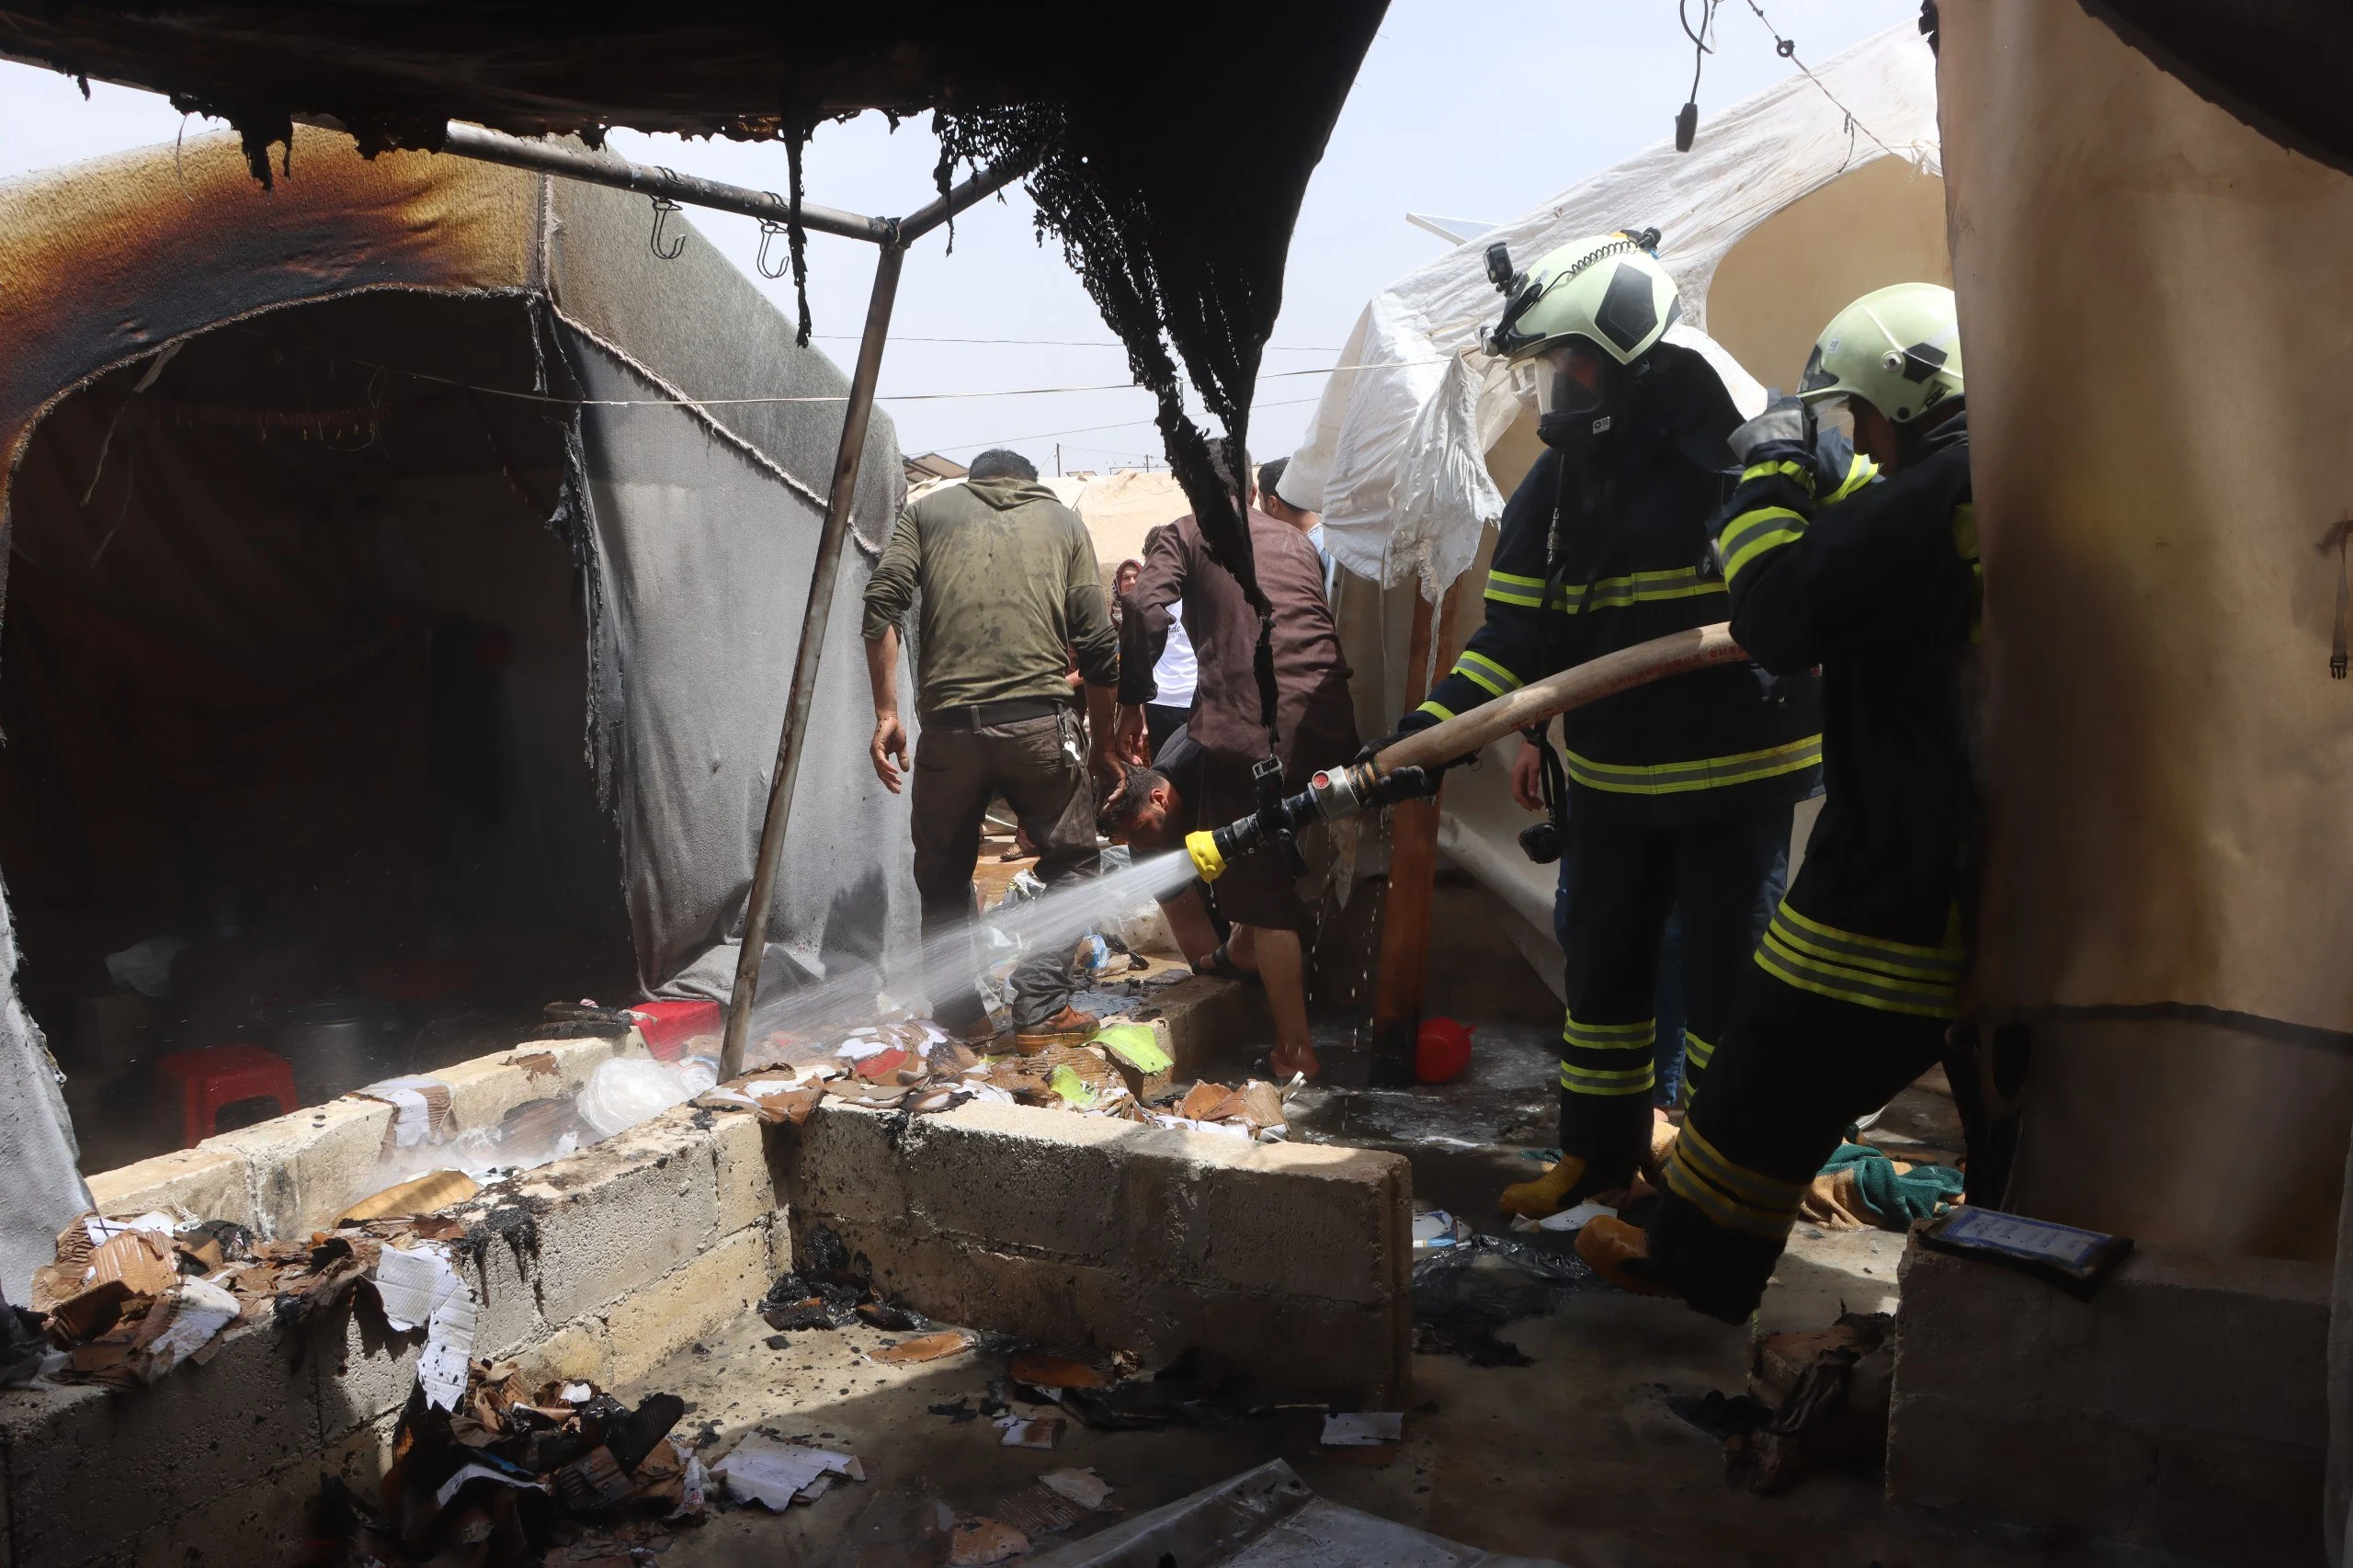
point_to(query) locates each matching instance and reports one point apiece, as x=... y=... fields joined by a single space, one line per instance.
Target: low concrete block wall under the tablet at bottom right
x=2185 y=1407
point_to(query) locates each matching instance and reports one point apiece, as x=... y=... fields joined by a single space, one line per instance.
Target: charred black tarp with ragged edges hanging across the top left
x=1168 y=147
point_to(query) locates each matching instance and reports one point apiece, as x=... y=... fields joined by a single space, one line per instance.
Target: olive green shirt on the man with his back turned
x=1008 y=590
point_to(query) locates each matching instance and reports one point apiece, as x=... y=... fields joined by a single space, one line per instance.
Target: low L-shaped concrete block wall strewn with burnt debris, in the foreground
x=1039 y=1223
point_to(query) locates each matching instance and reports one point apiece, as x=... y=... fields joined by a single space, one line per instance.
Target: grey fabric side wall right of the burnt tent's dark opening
x=705 y=529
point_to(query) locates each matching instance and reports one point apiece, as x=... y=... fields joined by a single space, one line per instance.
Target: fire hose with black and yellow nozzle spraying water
x=1413 y=764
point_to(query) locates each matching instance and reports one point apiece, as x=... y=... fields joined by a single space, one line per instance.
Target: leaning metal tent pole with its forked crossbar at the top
x=891 y=237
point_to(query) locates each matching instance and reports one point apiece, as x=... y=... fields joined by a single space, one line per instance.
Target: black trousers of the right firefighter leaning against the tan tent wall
x=1792 y=1075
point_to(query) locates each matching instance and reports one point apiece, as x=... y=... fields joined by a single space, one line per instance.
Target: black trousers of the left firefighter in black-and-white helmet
x=1620 y=882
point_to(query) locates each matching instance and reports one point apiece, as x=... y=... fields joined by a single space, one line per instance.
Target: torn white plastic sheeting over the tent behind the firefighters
x=1397 y=458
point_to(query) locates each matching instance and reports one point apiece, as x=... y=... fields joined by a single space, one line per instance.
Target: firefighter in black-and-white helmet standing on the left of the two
x=1679 y=795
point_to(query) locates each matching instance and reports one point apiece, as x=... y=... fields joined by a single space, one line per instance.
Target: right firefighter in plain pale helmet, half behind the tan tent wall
x=1858 y=978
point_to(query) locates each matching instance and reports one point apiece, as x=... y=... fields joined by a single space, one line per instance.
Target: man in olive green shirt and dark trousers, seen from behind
x=1006 y=592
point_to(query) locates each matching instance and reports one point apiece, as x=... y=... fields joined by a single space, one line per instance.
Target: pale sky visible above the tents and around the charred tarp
x=1465 y=109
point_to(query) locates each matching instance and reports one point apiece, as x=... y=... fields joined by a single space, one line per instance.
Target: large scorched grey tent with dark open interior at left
x=340 y=606
